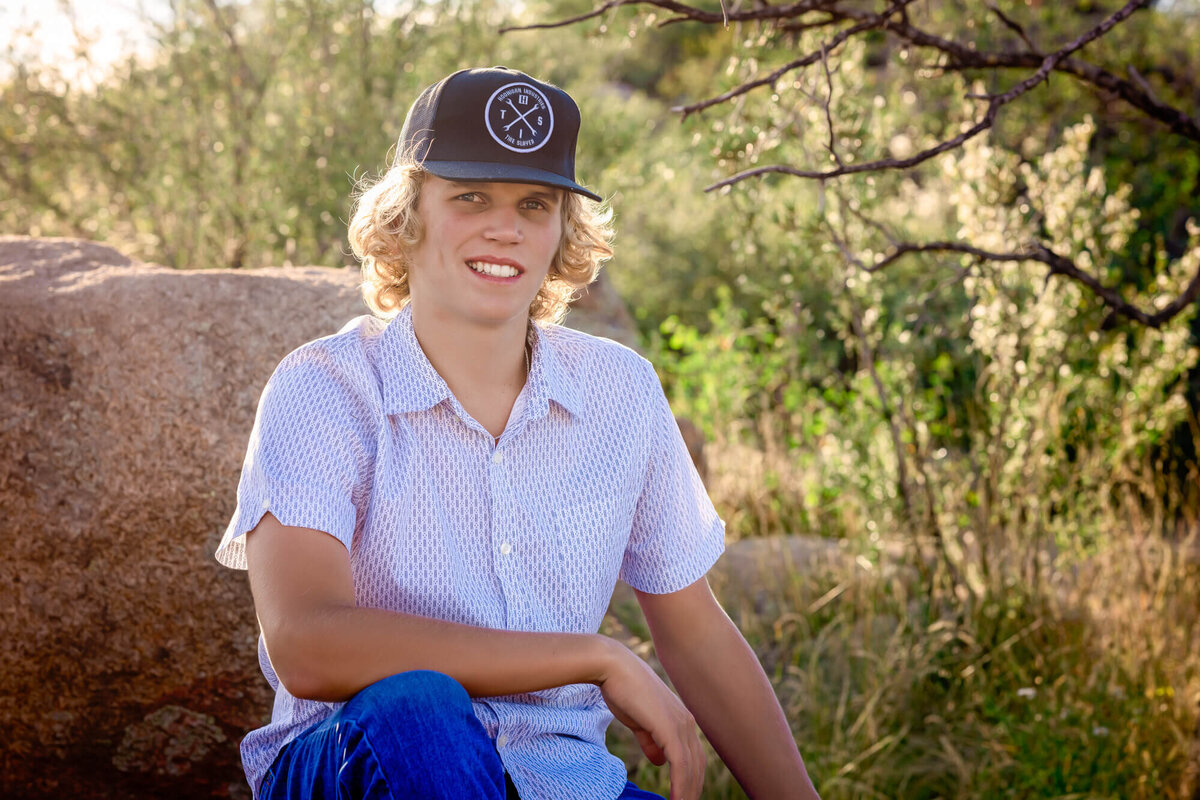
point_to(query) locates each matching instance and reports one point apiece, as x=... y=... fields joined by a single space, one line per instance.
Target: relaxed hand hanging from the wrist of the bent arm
x=665 y=729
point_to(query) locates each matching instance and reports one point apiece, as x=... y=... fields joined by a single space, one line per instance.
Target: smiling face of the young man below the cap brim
x=485 y=251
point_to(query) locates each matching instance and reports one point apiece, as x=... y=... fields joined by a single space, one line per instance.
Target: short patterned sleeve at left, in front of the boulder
x=307 y=462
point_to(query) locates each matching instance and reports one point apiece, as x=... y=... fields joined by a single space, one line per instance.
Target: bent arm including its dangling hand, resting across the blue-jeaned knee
x=325 y=647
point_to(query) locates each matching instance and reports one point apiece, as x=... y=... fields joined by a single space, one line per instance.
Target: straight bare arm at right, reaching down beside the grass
x=724 y=687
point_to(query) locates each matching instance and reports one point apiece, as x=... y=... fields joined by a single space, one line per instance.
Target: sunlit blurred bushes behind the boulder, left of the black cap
x=237 y=142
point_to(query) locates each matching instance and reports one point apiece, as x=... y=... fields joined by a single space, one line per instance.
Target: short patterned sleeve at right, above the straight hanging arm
x=677 y=534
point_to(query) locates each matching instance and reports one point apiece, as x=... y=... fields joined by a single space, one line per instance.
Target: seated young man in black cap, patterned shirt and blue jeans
x=435 y=510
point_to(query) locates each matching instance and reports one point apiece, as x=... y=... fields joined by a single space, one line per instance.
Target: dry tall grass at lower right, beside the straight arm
x=1082 y=682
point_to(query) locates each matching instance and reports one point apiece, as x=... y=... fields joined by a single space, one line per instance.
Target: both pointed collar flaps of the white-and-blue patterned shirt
x=412 y=384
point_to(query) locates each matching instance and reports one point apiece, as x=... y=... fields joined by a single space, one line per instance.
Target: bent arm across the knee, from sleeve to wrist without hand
x=323 y=647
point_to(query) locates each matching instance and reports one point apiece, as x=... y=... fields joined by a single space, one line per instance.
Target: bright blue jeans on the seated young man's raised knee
x=410 y=736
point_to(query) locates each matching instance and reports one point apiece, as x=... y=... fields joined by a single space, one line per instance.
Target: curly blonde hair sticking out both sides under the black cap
x=386 y=228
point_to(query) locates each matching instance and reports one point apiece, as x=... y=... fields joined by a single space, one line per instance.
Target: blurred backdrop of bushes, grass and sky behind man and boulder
x=1003 y=456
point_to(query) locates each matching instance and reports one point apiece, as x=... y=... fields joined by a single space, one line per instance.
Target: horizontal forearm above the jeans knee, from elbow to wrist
x=333 y=653
